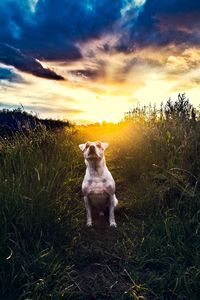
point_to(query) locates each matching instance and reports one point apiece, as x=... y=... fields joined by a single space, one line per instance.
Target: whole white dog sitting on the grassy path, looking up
x=98 y=185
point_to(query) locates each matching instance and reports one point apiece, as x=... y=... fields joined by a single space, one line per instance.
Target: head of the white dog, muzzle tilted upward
x=93 y=150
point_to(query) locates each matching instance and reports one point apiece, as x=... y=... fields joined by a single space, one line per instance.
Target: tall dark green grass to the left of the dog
x=38 y=186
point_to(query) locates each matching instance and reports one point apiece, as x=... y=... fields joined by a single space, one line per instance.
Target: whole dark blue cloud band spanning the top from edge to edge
x=50 y=30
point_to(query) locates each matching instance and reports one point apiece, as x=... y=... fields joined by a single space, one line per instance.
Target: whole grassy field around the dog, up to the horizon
x=47 y=252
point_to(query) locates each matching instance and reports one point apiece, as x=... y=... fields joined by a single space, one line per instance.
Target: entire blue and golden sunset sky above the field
x=92 y=60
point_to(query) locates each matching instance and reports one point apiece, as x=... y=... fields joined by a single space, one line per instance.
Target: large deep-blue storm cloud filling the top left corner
x=51 y=30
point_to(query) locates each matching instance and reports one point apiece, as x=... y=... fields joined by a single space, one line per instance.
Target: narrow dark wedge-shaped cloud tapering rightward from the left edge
x=12 y=56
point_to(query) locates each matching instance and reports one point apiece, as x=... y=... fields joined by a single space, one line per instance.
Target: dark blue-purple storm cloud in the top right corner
x=166 y=22
